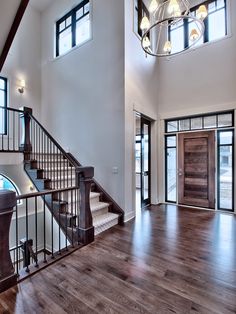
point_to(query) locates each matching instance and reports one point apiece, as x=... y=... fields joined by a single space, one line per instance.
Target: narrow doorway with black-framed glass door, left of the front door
x=142 y=161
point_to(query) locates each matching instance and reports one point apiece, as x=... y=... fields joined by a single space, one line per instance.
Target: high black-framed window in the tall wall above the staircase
x=74 y=28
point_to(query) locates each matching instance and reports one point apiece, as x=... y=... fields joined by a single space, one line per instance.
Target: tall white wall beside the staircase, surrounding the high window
x=83 y=92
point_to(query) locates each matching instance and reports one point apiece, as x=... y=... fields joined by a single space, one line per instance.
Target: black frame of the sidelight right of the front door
x=218 y=168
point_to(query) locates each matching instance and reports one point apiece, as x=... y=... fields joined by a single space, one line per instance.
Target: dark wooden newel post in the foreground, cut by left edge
x=8 y=278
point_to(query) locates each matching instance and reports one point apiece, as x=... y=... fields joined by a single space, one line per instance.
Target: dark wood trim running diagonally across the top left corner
x=20 y=12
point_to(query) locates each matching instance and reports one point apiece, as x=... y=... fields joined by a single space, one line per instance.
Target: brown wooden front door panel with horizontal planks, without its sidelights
x=196 y=169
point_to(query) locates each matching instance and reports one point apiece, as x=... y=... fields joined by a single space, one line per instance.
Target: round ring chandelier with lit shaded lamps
x=165 y=17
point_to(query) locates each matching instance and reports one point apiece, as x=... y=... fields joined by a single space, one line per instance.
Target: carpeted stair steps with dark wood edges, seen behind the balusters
x=53 y=171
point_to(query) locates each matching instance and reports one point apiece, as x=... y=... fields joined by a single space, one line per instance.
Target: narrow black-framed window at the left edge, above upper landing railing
x=3 y=105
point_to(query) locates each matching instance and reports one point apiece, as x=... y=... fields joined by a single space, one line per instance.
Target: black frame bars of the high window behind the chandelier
x=185 y=25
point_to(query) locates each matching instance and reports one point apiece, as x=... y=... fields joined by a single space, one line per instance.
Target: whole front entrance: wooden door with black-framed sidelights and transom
x=199 y=161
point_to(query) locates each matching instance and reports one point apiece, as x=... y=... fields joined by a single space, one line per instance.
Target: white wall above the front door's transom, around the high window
x=204 y=77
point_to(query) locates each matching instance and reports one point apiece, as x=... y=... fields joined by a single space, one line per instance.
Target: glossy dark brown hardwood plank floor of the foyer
x=167 y=260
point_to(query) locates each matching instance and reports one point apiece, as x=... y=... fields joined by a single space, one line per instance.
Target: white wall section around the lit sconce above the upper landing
x=24 y=62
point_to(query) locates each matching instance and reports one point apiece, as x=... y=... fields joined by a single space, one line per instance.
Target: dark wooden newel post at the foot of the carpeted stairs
x=84 y=177
